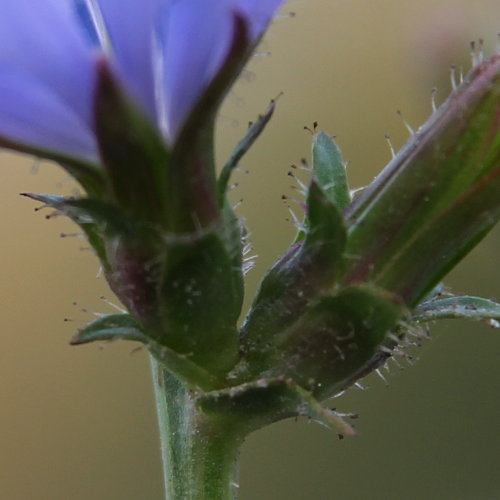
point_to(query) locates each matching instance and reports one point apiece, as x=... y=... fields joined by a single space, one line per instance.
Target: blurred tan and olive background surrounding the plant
x=78 y=422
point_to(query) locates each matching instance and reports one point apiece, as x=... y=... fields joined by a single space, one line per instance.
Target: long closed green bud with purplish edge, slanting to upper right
x=436 y=199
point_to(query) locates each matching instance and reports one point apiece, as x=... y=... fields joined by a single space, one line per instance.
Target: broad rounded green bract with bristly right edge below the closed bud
x=336 y=338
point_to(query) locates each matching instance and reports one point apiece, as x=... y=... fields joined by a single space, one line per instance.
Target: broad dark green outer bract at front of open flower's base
x=200 y=301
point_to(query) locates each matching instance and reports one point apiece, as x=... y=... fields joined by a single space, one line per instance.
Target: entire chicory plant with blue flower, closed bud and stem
x=123 y=95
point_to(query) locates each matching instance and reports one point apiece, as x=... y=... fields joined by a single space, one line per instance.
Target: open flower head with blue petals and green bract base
x=124 y=94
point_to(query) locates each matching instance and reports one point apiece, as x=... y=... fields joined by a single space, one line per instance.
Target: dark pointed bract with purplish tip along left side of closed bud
x=306 y=272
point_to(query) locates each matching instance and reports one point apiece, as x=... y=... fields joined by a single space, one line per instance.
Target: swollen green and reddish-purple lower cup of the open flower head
x=183 y=289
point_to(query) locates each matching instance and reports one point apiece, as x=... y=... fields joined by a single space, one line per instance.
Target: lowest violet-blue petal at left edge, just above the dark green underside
x=33 y=115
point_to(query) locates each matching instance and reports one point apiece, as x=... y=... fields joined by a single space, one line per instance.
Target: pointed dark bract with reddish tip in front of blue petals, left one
x=134 y=155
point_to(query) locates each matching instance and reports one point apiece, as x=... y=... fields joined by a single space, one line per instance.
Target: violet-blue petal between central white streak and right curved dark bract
x=194 y=41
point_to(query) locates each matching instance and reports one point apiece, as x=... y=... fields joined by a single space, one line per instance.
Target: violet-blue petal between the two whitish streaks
x=130 y=27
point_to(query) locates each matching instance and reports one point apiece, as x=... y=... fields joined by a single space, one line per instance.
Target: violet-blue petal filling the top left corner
x=44 y=39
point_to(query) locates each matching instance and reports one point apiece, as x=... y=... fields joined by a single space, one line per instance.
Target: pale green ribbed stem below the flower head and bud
x=199 y=451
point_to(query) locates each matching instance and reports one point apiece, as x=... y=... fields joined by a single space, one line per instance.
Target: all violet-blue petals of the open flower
x=164 y=54
